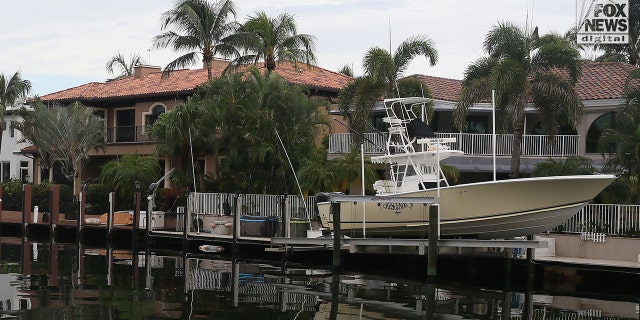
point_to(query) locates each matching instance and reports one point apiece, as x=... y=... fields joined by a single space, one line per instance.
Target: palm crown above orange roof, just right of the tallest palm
x=275 y=39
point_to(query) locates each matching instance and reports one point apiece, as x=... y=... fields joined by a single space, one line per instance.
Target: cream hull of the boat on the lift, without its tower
x=485 y=210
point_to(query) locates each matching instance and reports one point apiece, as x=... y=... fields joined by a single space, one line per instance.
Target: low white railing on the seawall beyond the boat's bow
x=612 y=219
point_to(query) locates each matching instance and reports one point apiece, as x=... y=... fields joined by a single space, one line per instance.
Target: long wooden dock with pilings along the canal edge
x=278 y=237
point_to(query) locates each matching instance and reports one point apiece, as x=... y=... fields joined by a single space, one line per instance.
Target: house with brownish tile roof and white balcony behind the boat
x=600 y=87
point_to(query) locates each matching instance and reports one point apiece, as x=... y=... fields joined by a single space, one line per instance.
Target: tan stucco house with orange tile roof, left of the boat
x=130 y=104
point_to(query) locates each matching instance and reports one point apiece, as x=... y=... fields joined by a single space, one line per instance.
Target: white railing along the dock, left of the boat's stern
x=262 y=205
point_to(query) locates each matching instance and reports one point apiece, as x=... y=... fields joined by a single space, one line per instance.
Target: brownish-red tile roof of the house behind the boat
x=599 y=80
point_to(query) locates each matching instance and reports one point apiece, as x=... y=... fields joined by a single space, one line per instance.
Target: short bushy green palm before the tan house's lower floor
x=120 y=174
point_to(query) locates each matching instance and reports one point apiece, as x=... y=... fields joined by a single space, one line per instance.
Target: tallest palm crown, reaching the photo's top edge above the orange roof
x=202 y=29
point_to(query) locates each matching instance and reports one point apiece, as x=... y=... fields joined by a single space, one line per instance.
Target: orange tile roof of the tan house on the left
x=185 y=81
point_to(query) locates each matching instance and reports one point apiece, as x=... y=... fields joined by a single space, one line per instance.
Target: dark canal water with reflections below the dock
x=42 y=280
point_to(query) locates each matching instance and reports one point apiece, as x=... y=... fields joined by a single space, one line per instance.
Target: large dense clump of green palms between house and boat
x=256 y=114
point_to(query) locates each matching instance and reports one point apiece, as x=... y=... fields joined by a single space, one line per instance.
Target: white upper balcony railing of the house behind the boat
x=471 y=144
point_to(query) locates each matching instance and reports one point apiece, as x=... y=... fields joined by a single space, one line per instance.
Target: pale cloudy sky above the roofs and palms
x=65 y=43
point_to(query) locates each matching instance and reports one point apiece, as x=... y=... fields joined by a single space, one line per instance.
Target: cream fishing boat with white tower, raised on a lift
x=497 y=209
